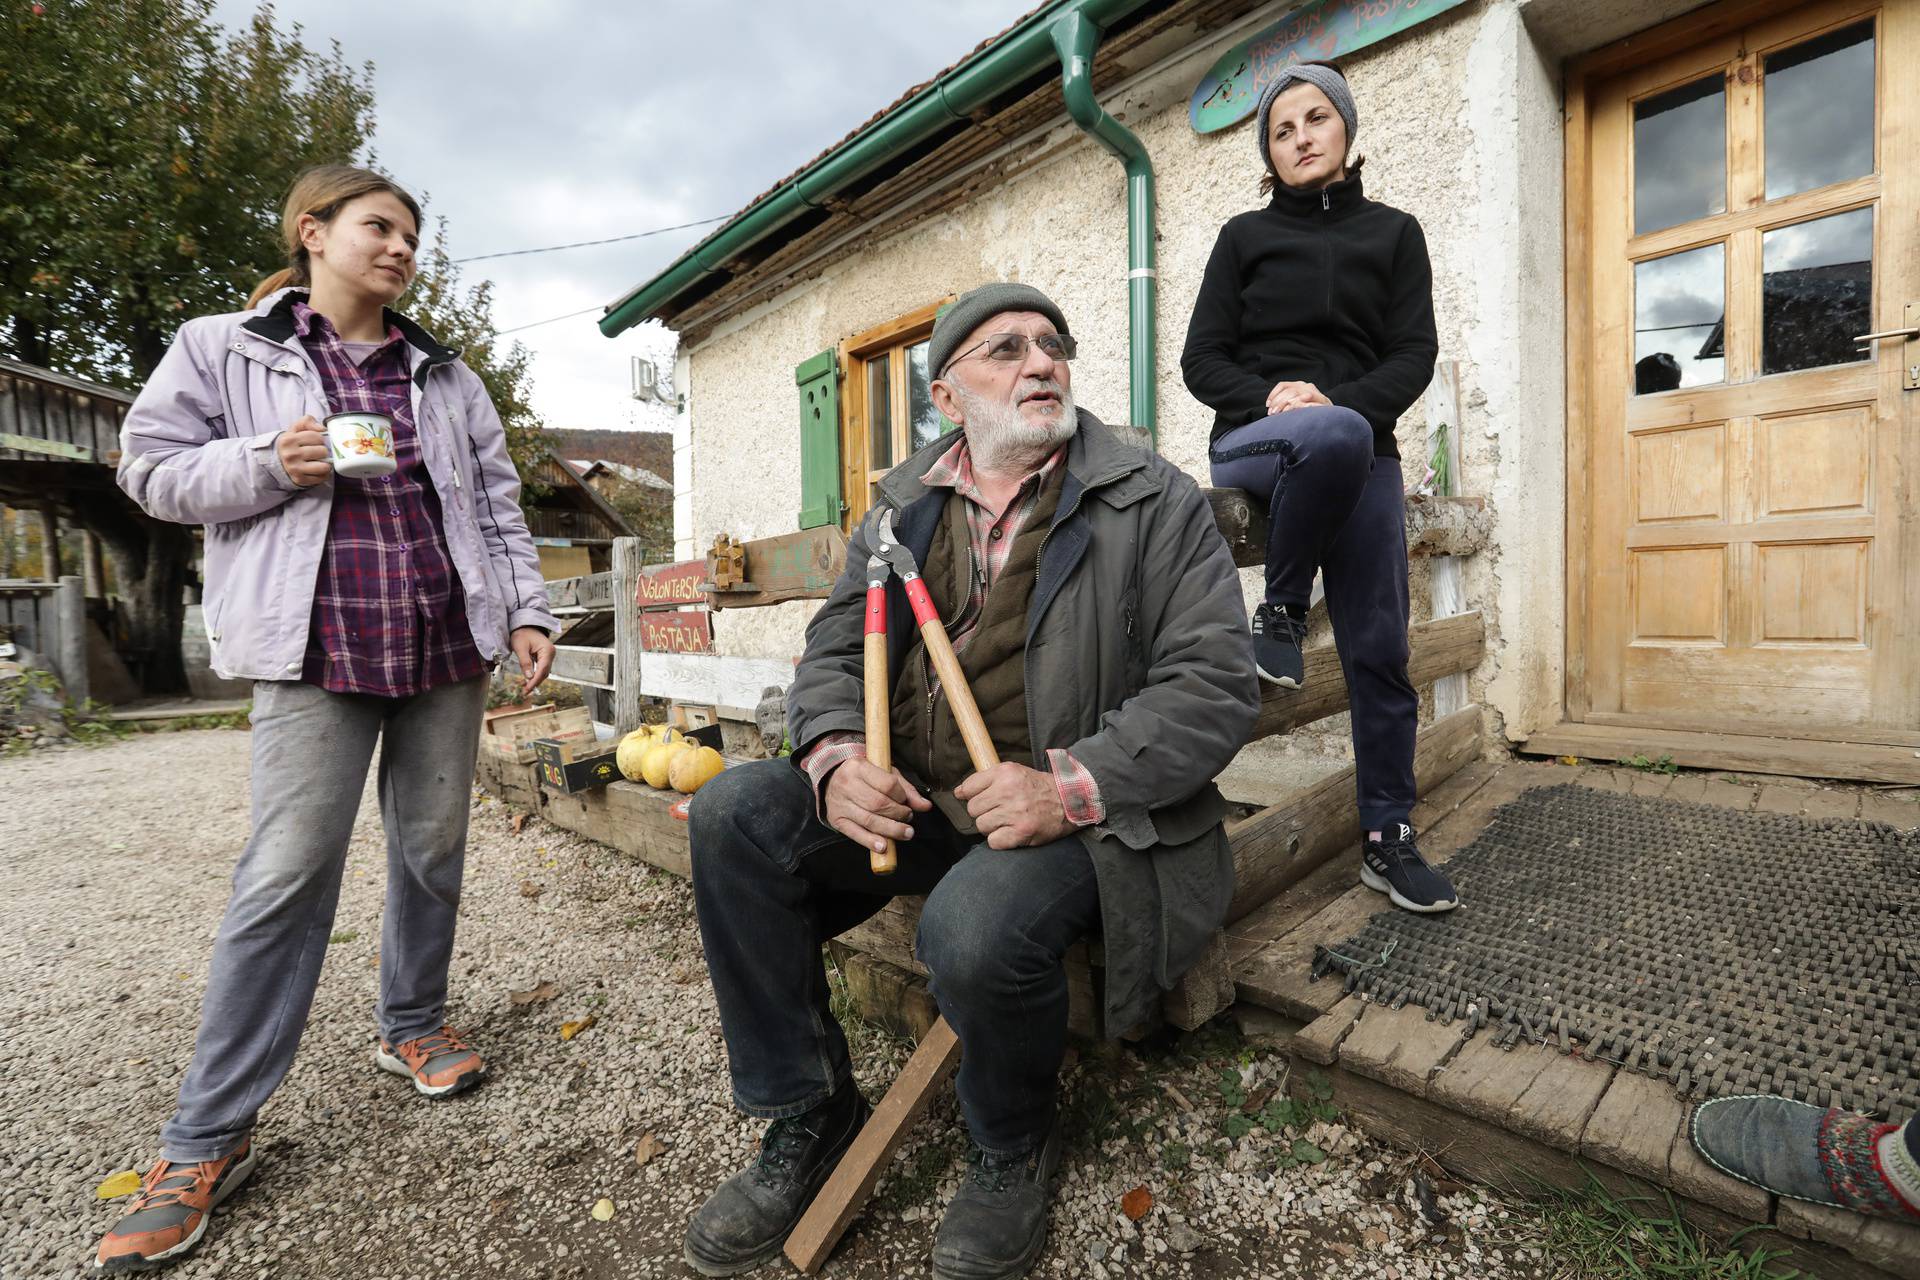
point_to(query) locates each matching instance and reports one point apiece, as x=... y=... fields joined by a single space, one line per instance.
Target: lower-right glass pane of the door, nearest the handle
x=1817 y=293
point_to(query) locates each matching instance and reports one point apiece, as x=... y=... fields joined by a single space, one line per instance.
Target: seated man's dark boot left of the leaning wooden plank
x=750 y=1218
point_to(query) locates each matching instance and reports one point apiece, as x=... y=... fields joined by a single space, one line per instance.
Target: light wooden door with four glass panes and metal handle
x=1750 y=534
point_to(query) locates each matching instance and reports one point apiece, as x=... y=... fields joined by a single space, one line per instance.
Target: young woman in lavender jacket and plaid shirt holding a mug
x=368 y=611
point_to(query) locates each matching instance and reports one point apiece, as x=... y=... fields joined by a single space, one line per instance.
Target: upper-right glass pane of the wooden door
x=1821 y=112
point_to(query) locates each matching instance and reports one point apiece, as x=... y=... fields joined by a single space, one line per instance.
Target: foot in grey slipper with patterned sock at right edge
x=1806 y=1152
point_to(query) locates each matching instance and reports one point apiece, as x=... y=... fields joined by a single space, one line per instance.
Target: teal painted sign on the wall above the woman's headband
x=1316 y=32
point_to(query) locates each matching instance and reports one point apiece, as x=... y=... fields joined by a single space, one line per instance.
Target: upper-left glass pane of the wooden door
x=1681 y=154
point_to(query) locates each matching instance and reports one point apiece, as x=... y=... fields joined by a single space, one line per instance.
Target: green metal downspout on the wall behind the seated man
x=1076 y=37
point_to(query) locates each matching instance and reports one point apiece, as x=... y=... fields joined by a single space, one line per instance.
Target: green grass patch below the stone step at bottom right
x=1595 y=1233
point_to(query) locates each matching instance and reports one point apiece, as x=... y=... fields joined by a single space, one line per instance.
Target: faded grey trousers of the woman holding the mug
x=312 y=751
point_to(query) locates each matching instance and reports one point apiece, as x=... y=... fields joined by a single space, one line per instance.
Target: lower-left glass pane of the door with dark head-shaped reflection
x=1679 y=320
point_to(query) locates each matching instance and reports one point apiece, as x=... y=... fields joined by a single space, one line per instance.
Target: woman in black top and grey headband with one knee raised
x=1314 y=331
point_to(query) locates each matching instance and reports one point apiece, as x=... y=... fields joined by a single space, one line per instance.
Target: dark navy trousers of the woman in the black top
x=1339 y=510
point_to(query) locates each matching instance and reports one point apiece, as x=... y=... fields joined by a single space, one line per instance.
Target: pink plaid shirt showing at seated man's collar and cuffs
x=992 y=538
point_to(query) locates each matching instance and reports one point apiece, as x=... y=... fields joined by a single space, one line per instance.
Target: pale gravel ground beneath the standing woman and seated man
x=114 y=874
